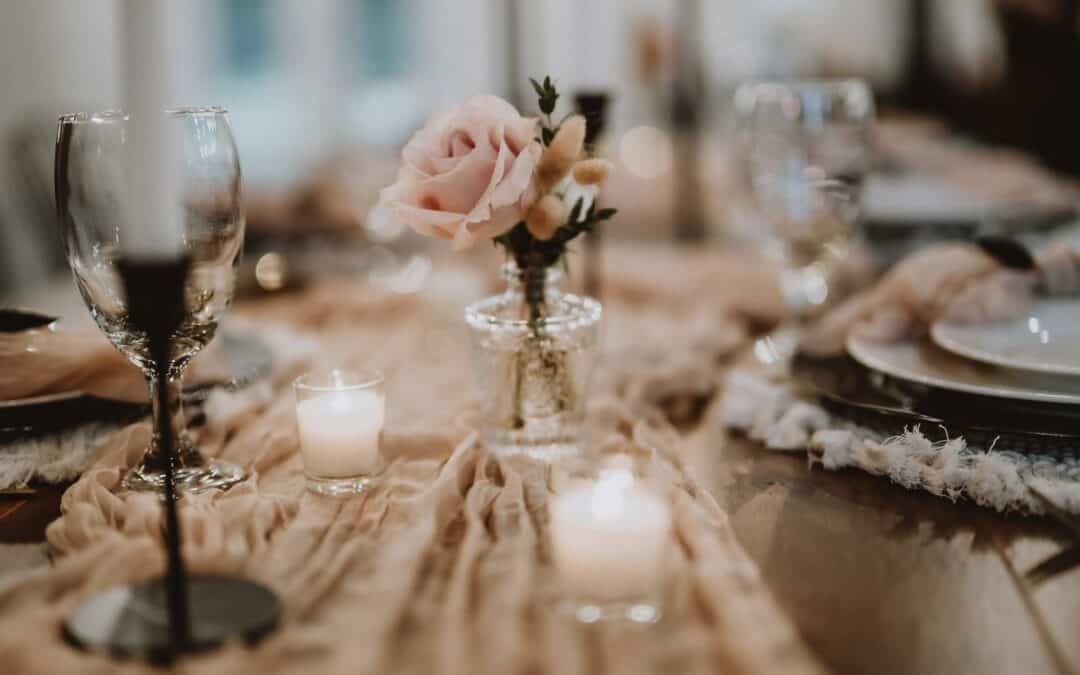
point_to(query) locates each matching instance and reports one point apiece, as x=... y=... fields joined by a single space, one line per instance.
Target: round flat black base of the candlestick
x=132 y=622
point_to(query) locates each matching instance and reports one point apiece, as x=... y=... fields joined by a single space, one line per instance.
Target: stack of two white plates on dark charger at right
x=1016 y=383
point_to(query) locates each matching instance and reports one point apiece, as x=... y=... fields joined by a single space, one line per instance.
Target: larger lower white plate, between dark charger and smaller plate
x=925 y=363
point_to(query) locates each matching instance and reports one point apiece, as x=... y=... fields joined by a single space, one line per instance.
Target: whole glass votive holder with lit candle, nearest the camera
x=610 y=539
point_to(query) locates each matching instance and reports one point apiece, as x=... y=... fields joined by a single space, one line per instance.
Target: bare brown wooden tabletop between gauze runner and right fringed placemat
x=889 y=582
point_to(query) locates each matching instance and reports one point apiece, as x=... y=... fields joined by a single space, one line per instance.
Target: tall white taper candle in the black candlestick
x=153 y=225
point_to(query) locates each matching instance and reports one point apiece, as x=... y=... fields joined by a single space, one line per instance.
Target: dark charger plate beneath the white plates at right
x=889 y=407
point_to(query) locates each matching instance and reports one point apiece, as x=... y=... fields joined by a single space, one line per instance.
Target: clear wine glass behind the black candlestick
x=93 y=190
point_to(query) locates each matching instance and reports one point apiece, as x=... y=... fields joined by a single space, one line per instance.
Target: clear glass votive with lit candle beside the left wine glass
x=340 y=418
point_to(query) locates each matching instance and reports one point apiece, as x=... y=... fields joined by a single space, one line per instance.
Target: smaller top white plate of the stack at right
x=1047 y=340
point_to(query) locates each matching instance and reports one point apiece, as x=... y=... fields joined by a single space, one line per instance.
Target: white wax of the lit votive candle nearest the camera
x=610 y=539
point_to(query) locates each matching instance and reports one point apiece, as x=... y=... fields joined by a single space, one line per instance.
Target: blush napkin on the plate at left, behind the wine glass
x=55 y=360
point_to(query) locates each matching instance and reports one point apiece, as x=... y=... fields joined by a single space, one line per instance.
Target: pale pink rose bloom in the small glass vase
x=468 y=174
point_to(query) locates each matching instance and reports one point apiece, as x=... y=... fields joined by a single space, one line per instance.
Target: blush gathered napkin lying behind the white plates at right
x=956 y=281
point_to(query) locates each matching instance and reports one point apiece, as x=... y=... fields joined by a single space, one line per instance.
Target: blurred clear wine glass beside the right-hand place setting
x=807 y=150
